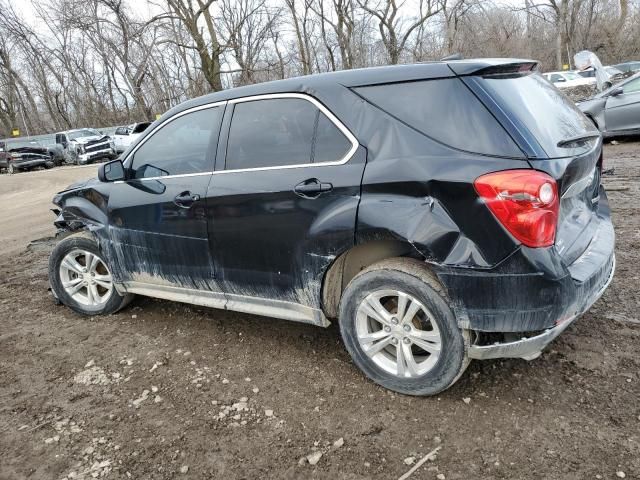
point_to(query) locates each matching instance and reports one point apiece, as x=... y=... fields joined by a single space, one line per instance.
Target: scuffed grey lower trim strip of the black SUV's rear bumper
x=530 y=348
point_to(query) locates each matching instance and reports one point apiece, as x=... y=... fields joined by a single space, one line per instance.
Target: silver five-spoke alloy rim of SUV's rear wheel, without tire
x=398 y=333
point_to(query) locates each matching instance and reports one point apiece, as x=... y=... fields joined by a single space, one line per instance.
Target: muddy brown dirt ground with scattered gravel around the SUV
x=164 y=390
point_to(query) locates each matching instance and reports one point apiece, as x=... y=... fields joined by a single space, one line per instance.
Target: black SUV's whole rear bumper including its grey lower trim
x=532 y=295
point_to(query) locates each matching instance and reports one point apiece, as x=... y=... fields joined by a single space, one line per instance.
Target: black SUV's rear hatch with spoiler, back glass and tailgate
x=558 y=140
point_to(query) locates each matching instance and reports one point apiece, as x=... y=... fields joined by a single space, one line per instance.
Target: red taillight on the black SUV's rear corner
x=525 y=202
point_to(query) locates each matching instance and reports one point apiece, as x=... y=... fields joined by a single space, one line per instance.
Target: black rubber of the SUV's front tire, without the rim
x=81 y=241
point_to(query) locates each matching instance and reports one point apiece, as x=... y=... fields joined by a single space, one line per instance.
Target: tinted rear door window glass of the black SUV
x=282 y=132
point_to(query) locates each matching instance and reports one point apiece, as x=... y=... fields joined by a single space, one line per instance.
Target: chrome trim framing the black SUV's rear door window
x=332 y=118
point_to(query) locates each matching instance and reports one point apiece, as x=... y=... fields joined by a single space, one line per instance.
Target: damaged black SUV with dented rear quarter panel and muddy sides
x=442 y=212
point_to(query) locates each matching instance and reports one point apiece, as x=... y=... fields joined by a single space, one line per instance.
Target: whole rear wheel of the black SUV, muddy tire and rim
x=399 y=329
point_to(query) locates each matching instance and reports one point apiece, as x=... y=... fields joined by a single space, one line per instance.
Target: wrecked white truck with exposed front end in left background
x=85 y=145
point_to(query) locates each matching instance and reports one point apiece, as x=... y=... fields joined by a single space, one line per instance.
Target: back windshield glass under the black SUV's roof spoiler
x=546 y=112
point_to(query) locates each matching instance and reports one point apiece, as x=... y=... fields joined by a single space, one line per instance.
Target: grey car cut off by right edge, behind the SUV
x=616 y=111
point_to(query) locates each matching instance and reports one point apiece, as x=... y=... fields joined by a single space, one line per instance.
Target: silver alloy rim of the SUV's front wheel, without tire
x=86 y=278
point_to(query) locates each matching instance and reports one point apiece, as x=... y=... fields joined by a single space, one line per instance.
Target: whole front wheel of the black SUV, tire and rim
x=80 y=277
